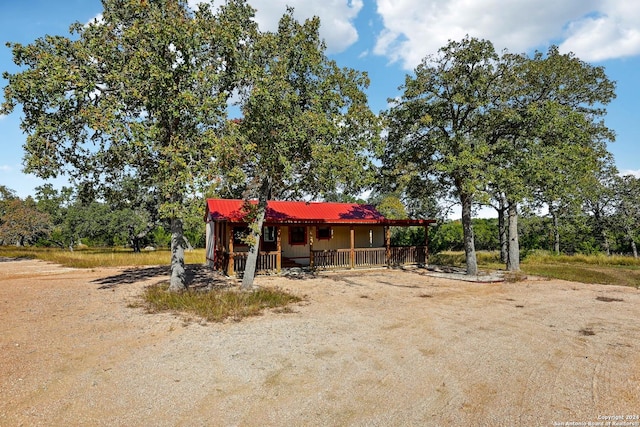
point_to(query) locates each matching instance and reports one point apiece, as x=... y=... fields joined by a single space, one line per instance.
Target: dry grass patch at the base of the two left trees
x=219 y=304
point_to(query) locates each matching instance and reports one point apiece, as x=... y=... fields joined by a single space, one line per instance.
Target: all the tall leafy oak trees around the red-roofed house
x=142 y=98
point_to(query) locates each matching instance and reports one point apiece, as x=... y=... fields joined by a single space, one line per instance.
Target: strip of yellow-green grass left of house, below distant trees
x=100 y=257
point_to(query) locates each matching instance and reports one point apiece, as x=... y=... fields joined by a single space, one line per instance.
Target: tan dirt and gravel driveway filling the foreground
x=366 y=348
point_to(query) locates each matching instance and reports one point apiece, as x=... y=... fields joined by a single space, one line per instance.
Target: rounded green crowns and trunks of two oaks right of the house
x=509 y=128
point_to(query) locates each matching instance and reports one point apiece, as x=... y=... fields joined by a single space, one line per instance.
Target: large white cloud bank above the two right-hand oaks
x=592 y=29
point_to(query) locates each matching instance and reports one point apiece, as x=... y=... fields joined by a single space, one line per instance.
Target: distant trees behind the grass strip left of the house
x=61 y=218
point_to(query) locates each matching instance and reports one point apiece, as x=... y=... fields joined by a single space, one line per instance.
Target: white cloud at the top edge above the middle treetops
x=336 y=17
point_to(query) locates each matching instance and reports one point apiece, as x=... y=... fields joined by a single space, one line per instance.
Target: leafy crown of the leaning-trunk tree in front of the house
x=306 y=125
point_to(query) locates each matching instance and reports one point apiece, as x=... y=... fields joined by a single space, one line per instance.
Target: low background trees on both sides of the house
x=59 y=218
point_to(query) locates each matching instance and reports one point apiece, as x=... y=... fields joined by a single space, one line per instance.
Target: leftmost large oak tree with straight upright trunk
x=140 y=93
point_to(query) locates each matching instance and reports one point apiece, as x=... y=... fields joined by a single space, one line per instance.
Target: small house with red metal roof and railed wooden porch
x=320 y=235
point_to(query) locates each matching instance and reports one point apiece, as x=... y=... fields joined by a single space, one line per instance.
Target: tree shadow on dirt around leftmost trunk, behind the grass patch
x=197 y=276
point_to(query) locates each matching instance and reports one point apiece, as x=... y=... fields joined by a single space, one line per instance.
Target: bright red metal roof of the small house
x=297 y=212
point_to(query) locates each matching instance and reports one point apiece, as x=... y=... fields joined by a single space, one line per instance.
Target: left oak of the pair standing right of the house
x=435 y=127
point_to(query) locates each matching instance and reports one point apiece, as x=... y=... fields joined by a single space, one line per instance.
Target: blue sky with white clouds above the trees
x=387 y=39
